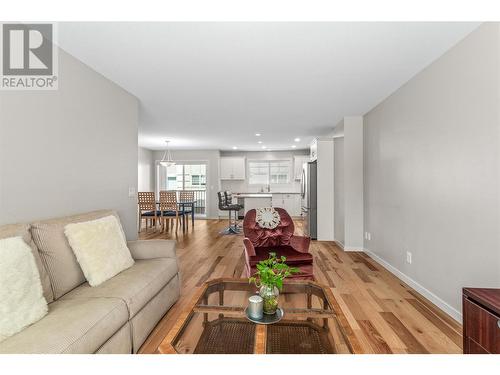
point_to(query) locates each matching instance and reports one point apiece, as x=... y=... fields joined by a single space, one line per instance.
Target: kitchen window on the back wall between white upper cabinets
x=269 y=172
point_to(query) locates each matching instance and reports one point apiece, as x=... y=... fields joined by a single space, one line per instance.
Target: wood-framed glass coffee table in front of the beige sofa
x=214 y=322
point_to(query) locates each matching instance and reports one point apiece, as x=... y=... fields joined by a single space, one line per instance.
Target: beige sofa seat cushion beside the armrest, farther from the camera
x=136 y=286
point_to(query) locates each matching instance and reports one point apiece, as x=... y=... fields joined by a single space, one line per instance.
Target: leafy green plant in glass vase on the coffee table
x=269 y=278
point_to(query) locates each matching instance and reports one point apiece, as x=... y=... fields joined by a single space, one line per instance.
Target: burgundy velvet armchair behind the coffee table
x=259 y=242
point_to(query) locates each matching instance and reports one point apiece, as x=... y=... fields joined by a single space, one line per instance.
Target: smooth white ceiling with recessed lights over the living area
x=214 y=85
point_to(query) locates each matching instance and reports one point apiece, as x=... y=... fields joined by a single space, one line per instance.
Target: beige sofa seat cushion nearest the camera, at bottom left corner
x=72 y=326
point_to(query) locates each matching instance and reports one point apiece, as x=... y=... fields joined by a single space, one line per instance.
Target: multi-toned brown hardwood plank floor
x=386 y=315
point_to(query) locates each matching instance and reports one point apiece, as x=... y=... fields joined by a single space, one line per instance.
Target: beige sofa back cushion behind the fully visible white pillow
x=64 y=271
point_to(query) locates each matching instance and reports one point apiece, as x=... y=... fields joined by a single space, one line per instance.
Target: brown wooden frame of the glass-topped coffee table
x=198 y=304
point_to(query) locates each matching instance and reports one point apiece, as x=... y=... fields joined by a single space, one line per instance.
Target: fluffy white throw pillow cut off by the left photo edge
x=21 y=294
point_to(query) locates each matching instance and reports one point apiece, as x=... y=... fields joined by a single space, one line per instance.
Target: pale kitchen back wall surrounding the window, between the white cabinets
x=244 y=187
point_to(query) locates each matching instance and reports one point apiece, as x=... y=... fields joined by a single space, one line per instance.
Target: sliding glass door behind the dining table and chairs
x=185 y=176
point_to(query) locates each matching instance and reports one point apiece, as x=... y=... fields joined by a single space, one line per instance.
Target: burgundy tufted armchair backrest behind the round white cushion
x=262 y=237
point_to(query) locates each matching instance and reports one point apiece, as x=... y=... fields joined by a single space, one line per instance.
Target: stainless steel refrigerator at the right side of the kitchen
x=310 y=199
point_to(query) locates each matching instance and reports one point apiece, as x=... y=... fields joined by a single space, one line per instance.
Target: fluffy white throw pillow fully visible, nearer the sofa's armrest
x=100 y=248
